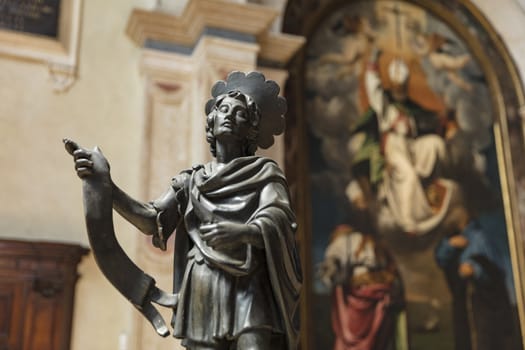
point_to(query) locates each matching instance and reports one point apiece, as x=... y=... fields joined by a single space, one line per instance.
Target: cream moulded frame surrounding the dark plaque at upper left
x=59 y=54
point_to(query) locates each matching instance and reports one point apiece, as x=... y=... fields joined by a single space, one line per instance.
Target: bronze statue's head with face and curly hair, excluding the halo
x=237 y=116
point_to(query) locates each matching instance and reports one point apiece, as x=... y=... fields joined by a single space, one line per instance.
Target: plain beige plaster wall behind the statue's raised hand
x=40 y=194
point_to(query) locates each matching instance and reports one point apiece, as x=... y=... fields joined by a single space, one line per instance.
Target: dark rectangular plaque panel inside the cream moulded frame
x=31 y=16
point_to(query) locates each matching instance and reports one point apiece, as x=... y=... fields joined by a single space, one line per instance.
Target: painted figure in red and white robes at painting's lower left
x=367 y=294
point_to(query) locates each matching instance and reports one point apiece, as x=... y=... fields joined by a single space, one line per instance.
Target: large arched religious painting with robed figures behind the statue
x=408 y=225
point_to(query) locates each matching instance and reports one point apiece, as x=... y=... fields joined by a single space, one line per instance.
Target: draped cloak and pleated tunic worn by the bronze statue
x=250 y=190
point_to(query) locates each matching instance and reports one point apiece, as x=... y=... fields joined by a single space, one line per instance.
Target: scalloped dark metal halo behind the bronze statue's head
x=265 y=93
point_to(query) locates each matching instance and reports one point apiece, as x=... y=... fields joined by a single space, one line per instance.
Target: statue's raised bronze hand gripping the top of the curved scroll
x=88 y=162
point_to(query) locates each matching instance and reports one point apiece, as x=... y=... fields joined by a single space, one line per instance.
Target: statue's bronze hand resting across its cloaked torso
x=228 y=234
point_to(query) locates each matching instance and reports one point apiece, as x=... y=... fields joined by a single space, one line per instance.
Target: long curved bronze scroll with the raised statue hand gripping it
x=98 y=192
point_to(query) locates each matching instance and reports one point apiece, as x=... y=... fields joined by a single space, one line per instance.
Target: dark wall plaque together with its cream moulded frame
x=45 y=31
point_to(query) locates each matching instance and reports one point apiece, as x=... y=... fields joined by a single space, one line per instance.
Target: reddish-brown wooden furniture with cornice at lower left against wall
x=37 y=281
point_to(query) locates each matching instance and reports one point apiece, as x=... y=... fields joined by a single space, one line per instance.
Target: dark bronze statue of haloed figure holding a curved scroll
x=237 y=274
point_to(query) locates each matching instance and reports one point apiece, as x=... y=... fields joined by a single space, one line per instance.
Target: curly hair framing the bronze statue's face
x=254 y=117
